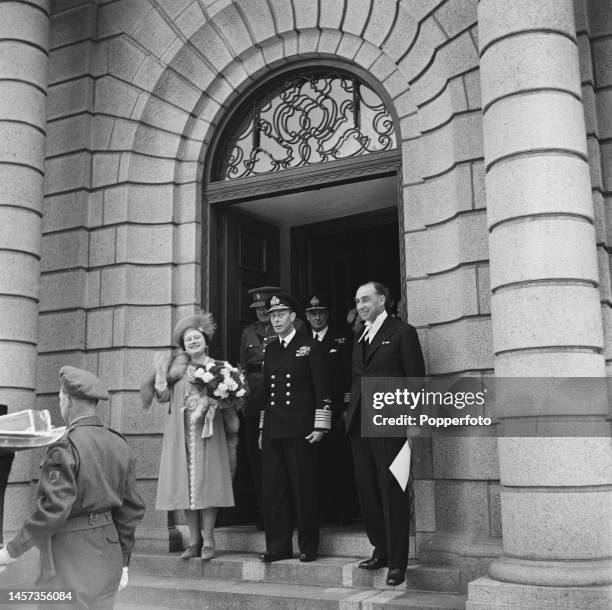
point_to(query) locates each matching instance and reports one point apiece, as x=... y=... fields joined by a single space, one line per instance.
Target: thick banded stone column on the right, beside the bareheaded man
x=556 y=492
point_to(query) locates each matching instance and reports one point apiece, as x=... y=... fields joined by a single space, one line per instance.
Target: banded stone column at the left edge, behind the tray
x=24 y=42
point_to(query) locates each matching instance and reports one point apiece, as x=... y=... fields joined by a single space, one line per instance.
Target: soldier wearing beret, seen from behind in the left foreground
x=87 y=506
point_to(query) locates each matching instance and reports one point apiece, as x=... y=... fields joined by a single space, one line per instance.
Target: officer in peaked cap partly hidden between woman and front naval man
x=253 y=343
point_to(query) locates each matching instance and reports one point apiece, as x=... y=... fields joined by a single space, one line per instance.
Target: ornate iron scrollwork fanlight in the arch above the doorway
x=306 y=119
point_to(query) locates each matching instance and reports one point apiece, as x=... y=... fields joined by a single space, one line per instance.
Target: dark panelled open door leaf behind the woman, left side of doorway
x=244 y=254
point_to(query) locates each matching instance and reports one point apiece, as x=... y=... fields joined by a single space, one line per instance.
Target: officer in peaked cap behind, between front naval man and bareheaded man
x=338 y=490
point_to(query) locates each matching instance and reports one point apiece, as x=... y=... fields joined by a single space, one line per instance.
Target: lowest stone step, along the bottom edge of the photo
x=224 y=594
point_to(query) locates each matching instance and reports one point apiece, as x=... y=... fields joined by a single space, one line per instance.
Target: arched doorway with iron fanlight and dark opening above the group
x=303 y=192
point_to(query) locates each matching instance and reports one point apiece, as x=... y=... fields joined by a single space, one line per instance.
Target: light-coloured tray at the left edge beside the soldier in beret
x=27 y=430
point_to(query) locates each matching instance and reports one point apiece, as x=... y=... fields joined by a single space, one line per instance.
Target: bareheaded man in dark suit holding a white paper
x=387 y=347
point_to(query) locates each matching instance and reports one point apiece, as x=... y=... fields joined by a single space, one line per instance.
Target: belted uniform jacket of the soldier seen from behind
x=88 y=472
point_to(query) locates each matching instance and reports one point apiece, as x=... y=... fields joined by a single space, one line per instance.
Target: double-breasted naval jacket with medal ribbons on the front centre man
x=297 y=381
